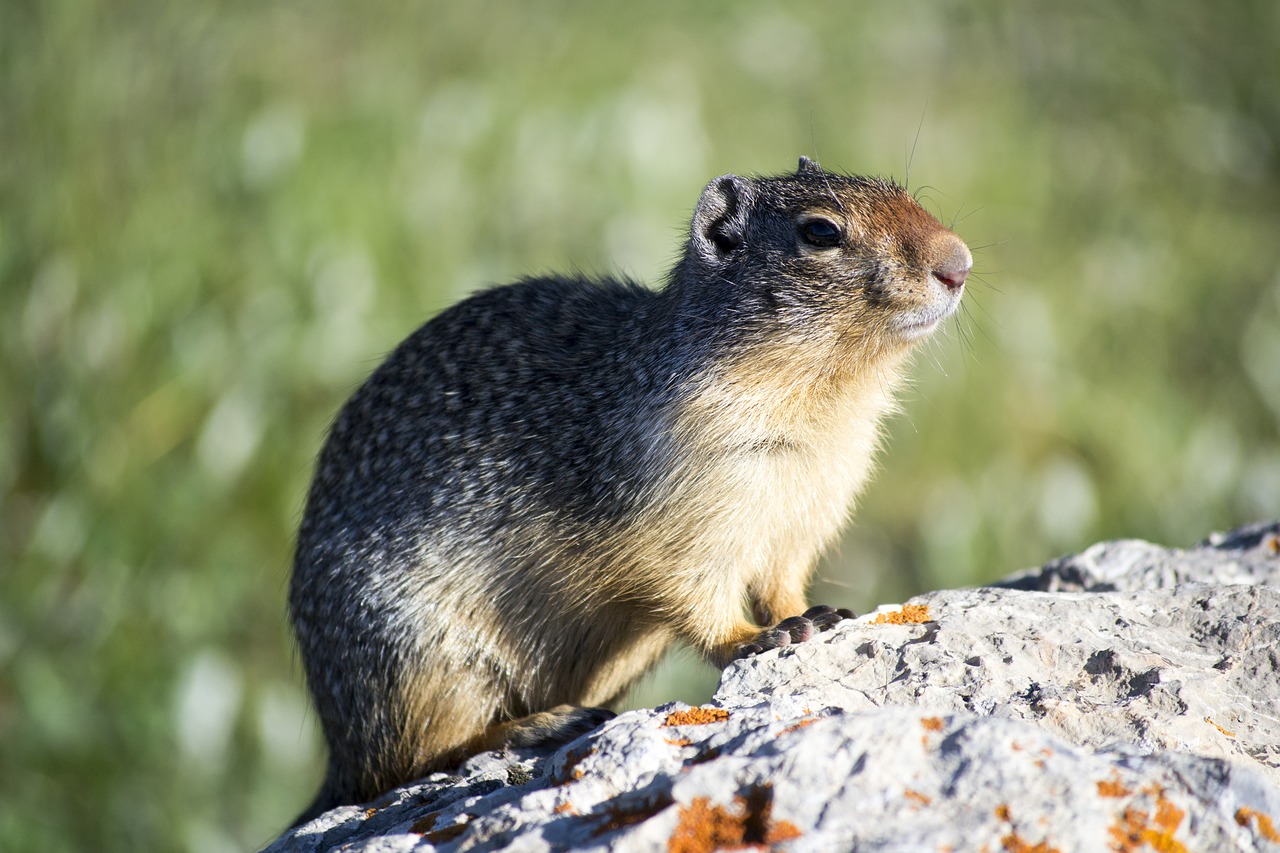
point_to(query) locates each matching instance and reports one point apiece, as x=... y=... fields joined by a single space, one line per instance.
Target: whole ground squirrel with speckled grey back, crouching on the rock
x=551 y=482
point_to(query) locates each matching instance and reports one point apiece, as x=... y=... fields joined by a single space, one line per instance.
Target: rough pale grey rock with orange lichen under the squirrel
x=1124 y=699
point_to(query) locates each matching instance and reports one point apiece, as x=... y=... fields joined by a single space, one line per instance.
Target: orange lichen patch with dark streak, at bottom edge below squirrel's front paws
x=706 y=827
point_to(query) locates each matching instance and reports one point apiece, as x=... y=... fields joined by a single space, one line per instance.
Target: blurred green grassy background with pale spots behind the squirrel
x=216 y=218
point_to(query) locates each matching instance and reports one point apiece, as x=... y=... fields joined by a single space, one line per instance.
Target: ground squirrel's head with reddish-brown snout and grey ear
x=822 y=257
